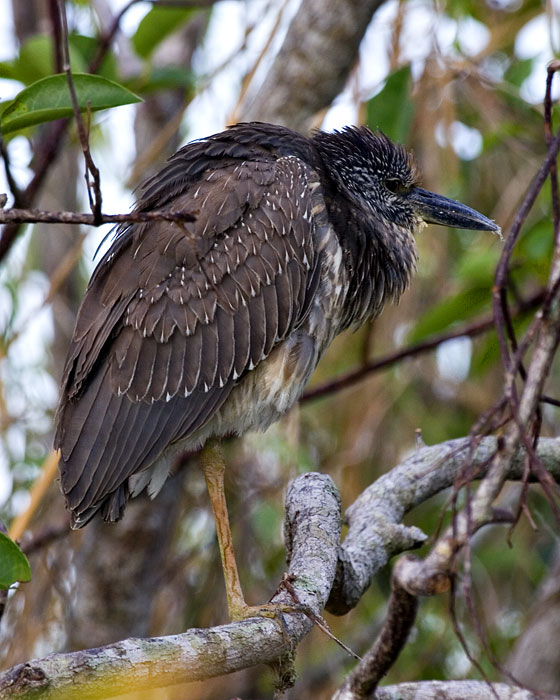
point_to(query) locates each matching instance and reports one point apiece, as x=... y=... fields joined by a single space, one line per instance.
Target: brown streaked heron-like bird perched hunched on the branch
x=189 y=332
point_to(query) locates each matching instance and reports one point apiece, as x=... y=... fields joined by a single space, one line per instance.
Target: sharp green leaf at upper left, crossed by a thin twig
x=49 y=99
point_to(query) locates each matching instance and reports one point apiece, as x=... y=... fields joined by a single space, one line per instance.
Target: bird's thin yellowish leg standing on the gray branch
x=213 y=465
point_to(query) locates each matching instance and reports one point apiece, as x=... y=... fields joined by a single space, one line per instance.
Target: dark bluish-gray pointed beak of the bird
x=436 y=209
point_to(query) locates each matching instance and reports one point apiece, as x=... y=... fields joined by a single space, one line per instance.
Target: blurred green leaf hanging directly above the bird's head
x=392 y=110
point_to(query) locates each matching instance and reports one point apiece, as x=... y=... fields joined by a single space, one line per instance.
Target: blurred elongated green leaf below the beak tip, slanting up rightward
x=457 y=308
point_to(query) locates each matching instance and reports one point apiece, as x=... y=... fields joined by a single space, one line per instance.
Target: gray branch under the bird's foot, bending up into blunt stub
x=313 y=522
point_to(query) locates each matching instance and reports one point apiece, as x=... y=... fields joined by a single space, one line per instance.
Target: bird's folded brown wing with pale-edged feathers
x=175 y=316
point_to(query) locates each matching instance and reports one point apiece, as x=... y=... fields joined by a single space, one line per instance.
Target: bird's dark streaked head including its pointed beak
x=382 y=179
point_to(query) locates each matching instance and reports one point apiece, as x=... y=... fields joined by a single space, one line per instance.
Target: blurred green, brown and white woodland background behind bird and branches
x=462 y=84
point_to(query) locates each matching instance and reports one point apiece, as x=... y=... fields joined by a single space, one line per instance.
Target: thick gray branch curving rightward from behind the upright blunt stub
x=375 y=531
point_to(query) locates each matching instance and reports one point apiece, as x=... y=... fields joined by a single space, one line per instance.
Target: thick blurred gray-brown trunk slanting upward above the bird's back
x=311 y=68
